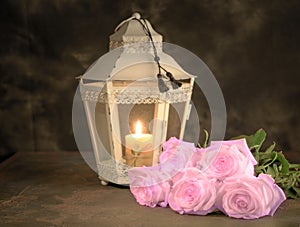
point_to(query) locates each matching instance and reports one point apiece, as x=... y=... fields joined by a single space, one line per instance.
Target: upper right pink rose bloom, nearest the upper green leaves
x=227 y=159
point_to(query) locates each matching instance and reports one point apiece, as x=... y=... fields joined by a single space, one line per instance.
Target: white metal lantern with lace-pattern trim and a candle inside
x=135 y=98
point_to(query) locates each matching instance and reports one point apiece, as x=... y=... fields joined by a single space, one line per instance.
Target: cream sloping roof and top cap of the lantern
x=133 y=45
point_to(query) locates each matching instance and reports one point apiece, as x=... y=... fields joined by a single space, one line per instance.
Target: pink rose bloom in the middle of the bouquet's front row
x=192 y=193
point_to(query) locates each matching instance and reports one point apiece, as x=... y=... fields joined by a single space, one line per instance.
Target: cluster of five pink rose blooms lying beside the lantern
x=199 y=181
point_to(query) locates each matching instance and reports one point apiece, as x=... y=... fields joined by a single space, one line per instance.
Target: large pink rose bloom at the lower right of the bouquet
x=250 y=197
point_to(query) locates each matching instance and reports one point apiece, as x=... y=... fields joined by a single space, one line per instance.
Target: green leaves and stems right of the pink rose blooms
x=272 y=162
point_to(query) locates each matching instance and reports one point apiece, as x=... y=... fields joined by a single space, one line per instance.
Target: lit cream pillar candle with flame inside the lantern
x=139 y=147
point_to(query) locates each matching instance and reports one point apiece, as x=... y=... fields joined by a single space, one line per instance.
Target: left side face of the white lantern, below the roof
x=110 y=166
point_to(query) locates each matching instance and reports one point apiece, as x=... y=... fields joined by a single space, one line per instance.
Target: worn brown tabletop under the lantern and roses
x=59 y=189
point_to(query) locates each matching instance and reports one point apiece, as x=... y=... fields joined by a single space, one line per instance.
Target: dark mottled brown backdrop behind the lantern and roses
x=252 y=47
